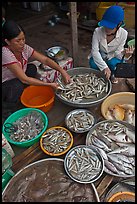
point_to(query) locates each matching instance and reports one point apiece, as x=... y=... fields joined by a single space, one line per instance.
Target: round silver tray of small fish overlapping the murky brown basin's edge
x=84 y=164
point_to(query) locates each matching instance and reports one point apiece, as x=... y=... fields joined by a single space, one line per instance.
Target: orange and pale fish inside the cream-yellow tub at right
x=124 y=112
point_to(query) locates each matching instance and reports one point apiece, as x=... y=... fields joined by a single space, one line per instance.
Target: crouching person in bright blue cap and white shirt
x=108 y=43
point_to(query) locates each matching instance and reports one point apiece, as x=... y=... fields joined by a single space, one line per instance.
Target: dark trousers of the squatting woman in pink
x=12 y=89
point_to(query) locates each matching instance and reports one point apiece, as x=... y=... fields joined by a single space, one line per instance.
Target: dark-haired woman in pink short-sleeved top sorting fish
x=16 y=72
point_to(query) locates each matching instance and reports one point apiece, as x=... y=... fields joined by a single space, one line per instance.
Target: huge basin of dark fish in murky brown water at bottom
x=46 y=181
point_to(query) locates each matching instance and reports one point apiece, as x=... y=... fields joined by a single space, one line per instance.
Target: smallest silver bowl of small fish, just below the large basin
x=79 y=120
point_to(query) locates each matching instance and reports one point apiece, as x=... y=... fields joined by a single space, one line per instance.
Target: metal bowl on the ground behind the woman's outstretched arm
x=57 y=52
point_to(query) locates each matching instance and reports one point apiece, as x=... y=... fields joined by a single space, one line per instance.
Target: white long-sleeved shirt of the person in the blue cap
x=102 y=51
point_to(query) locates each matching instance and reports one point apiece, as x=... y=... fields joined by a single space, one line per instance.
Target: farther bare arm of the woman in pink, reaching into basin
x=47 y=61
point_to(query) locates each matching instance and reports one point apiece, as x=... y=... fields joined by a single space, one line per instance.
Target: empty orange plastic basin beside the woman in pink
x=41 y=97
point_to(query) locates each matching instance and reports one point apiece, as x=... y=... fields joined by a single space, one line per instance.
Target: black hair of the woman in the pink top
x=10 y=30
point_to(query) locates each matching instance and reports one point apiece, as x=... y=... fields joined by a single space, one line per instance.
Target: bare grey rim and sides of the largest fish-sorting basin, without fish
x=85 y=102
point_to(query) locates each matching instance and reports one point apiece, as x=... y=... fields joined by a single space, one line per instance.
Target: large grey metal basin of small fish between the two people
x=87 y=87
